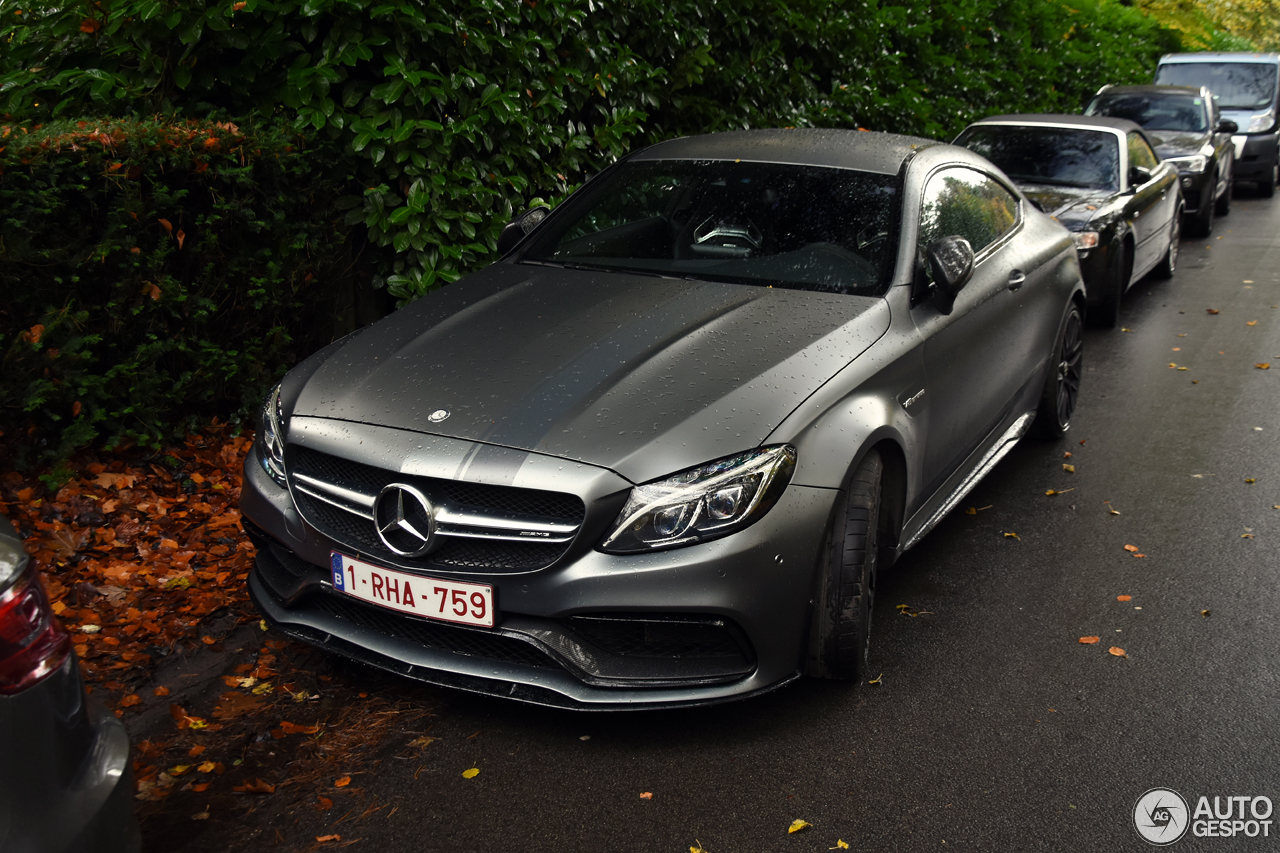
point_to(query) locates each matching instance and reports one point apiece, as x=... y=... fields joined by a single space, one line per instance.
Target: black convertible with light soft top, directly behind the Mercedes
x=1101 y=179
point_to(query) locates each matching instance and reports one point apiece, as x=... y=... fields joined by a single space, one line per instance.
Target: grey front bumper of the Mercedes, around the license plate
x=730 y=617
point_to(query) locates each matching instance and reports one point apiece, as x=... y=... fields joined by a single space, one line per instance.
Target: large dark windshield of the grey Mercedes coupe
x=748 y=223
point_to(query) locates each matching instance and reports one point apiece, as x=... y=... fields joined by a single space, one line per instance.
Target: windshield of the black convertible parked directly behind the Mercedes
x=1049 y=156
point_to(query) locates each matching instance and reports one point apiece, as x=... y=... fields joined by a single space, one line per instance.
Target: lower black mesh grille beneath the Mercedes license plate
x=451 y=638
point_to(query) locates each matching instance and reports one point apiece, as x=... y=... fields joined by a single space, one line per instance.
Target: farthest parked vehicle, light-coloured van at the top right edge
x=1247 y=90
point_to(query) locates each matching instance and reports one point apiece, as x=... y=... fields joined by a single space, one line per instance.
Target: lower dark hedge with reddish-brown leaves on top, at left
x=159 y=273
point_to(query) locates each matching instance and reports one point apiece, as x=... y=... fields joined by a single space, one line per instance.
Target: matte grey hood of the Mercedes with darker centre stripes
x=638 y=375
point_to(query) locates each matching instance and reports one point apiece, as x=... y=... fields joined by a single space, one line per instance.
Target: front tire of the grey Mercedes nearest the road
x=847 y=585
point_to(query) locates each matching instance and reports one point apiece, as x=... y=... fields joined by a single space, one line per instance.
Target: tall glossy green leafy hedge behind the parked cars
x=455 y=113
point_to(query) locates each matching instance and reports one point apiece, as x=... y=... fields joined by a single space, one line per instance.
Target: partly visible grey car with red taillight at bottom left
x=66 y=783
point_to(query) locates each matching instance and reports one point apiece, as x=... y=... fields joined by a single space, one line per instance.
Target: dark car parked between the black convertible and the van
x=1187 y=130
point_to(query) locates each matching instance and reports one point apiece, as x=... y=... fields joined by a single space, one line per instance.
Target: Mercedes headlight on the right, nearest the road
x=703 y=503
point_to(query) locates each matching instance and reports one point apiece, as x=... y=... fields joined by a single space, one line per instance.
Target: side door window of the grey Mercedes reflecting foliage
x=967 y=203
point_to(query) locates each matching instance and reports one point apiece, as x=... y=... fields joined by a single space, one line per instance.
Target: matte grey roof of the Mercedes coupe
x=862 y=150
